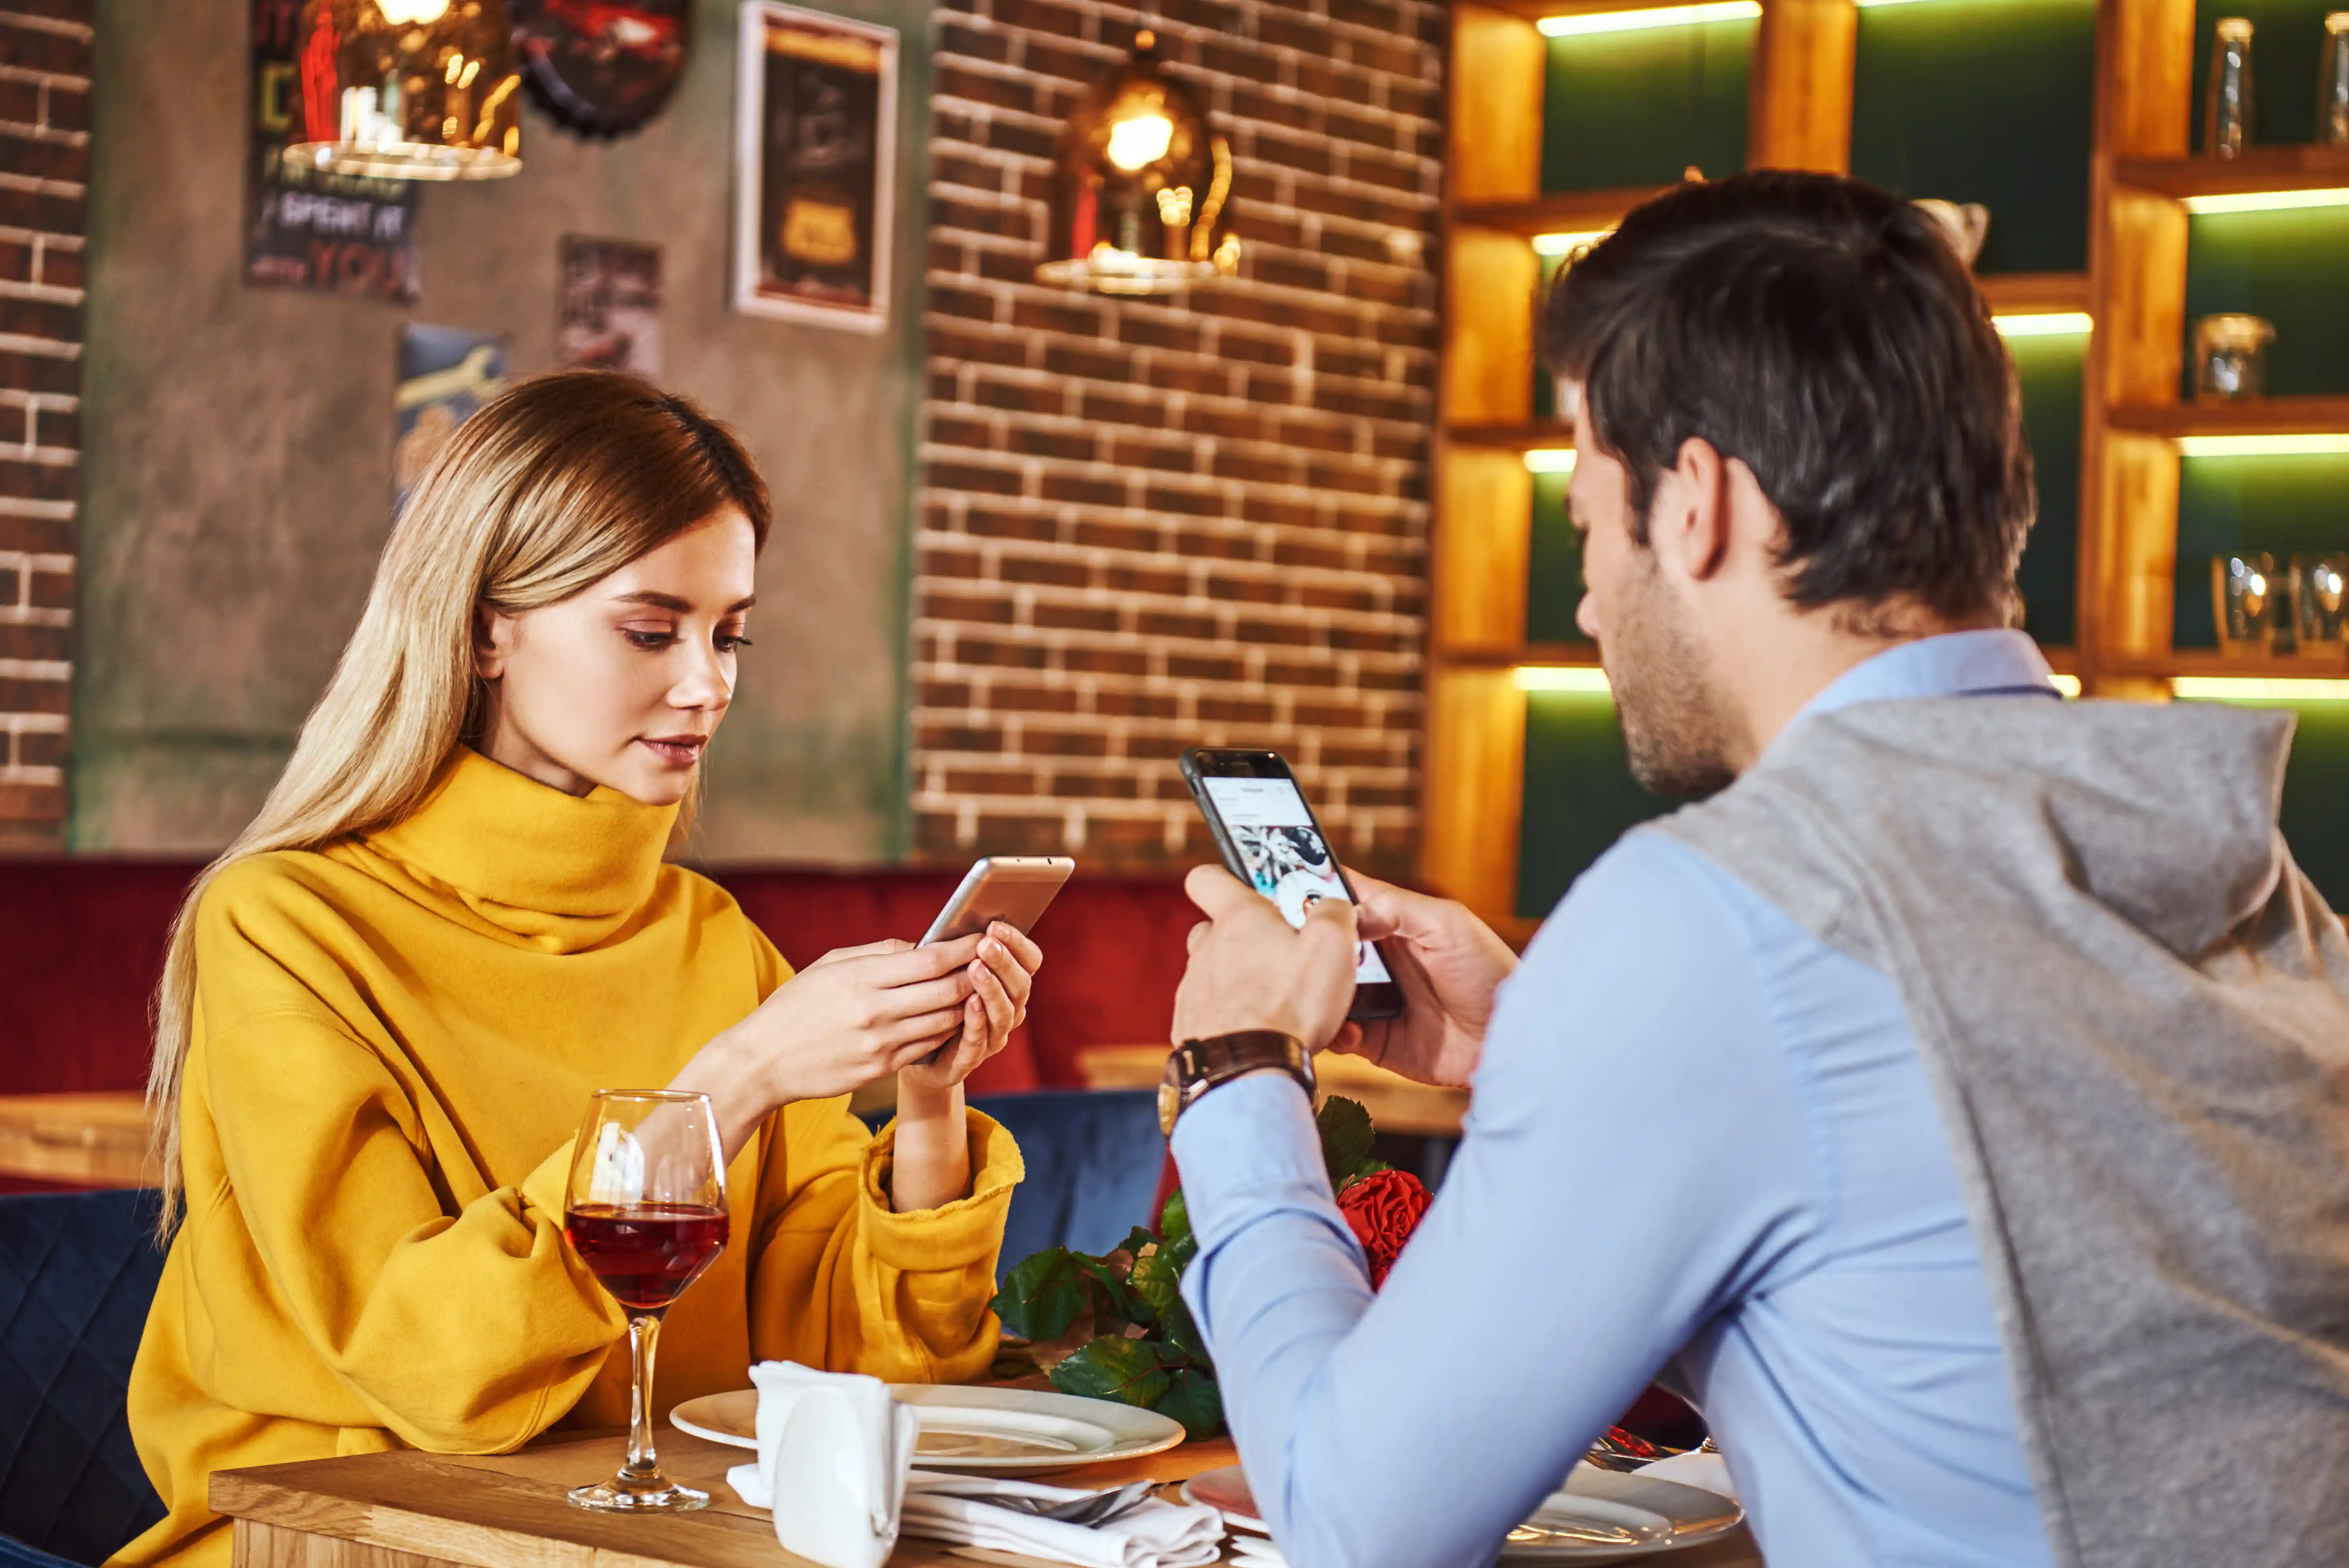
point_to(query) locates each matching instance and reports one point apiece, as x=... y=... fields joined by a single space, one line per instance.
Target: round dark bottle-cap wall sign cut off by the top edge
x=603 y=67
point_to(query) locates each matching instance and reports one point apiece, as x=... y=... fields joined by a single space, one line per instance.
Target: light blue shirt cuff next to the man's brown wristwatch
x=1241 y=1144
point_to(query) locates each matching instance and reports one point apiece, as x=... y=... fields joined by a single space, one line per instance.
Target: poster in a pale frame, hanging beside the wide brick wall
x=816 y=154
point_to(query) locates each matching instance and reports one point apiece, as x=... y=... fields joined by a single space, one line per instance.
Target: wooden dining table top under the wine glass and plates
x=422 y=1510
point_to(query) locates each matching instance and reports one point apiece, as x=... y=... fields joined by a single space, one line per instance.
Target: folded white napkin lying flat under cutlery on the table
x=1155 y=1534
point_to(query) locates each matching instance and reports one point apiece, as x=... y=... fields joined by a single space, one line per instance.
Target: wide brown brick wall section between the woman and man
x=1164 y=523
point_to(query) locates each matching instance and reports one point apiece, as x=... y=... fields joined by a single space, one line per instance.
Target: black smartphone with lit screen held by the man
x=1263 y=824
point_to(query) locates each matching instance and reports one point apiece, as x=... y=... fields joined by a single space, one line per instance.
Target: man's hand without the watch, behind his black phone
x=1448 y=963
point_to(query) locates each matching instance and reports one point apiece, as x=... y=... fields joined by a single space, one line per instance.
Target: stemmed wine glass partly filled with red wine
x=647 y=1214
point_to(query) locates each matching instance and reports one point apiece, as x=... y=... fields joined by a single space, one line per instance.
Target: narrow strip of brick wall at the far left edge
x=43 y=170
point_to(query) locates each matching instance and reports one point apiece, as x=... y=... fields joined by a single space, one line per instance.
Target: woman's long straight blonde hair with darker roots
x=546 y=490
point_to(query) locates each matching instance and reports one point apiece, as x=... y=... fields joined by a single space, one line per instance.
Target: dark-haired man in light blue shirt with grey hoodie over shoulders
x=1958 y=1094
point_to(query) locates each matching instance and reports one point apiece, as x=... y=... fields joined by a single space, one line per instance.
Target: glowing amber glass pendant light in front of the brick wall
x=1143 y=189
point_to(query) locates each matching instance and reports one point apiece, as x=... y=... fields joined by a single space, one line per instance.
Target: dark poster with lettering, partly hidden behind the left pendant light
x=307 y=229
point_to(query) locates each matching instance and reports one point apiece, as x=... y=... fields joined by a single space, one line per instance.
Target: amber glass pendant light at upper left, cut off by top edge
x=408 y=91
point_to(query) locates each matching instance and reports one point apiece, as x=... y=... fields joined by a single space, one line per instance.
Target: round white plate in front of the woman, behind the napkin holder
x=995 y=1430
